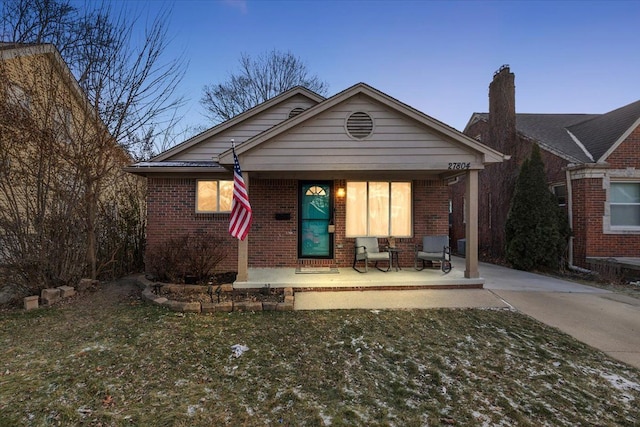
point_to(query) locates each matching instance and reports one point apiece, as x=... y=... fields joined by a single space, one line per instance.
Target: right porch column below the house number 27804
x=471 y=220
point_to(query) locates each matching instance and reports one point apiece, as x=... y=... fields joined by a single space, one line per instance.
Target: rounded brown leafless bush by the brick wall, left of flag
x=186 y=256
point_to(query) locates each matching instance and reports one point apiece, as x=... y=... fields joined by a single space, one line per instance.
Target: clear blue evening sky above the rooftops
x=437 y=56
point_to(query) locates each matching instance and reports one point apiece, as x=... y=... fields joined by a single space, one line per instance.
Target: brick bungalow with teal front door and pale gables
x=320 y=172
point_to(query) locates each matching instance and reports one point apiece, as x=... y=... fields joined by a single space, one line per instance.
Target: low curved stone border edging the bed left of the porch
x=205 y=307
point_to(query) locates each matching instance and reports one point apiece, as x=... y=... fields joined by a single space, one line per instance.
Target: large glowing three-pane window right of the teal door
x=379 y=209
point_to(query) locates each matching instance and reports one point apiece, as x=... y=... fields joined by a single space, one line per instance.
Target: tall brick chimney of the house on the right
x=502 y=110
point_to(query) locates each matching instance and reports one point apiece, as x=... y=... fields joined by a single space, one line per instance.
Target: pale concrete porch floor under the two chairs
x=349 y=279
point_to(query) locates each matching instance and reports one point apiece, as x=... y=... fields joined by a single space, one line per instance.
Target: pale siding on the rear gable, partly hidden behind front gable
x=209 y=149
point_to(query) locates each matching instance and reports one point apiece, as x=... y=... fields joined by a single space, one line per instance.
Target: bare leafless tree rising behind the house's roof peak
x=256 y=81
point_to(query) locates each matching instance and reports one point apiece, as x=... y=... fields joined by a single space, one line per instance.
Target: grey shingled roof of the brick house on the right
x=578 y=138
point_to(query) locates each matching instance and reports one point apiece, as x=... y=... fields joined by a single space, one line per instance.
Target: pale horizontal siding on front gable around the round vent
x=396 y=143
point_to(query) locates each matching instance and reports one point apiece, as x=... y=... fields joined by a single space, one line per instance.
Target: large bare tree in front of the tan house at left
x=130 y=90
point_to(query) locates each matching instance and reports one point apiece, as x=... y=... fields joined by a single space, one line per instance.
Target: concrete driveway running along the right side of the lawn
x=605 y=320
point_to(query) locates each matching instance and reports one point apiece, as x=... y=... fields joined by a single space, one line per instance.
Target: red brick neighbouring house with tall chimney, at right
x=592 y=163
